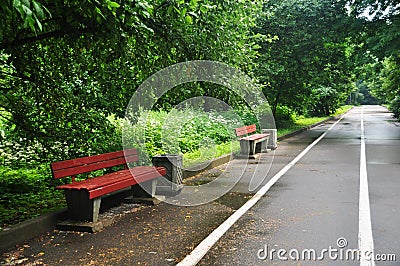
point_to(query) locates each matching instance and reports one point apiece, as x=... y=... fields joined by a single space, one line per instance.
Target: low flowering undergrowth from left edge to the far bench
x=28 y=188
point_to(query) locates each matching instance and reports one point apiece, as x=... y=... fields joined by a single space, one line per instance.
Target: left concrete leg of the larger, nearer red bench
x=80 y=207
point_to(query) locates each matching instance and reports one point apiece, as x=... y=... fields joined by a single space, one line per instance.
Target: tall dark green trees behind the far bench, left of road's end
x=307 y=66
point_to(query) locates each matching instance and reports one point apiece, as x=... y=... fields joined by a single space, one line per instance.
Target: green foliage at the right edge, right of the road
x=380 y=65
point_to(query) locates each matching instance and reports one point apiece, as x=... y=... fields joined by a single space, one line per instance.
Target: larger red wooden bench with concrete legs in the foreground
x=84 y=197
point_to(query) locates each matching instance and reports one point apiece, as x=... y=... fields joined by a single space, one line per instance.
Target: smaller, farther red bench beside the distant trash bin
x=248 y=144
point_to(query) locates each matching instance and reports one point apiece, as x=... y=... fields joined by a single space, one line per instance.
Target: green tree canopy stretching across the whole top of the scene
x=66 y=66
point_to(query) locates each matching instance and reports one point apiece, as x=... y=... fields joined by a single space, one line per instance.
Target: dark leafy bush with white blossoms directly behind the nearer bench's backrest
x=18 y=152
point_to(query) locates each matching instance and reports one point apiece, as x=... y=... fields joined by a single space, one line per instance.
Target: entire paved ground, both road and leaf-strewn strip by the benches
x=315 y=203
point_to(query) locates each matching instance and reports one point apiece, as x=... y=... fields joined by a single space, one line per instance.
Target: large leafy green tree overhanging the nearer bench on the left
x=60 y=84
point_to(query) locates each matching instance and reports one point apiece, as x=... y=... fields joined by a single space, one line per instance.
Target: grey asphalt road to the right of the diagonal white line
x=315 y=205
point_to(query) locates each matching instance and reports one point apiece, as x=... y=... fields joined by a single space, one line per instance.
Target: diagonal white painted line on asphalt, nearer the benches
x=198 y=253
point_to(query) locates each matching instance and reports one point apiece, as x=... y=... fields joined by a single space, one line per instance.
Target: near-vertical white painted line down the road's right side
x=365 y=239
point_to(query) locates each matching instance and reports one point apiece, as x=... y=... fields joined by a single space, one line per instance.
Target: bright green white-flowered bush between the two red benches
x=179 y=131
